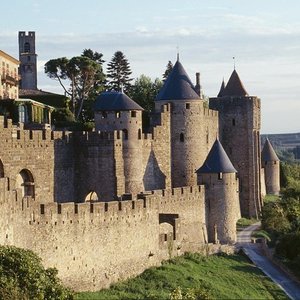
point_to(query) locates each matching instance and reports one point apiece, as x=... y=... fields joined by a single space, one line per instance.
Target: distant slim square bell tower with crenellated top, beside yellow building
x=28 y=60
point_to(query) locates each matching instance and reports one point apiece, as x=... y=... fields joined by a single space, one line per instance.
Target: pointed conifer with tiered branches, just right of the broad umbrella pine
x=118 y=73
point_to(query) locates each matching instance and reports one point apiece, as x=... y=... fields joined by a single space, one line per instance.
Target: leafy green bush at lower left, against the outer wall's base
x=22 y=276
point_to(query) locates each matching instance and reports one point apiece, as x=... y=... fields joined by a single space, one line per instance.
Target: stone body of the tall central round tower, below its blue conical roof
x=194 y=129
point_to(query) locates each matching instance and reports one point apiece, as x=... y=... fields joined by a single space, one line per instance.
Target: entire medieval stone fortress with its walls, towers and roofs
x=104 y=205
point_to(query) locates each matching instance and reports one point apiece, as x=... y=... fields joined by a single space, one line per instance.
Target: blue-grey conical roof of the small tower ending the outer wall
x=217 y=161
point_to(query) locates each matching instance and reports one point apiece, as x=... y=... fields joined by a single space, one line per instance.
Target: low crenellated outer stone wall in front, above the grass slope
x=95 y=244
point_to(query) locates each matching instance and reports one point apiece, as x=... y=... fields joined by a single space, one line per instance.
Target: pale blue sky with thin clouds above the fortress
x=262 y=35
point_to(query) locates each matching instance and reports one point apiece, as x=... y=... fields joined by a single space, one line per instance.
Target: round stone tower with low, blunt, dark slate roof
x=116 y=111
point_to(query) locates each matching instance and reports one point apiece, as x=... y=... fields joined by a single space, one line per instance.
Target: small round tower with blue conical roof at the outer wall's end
x=222 y=197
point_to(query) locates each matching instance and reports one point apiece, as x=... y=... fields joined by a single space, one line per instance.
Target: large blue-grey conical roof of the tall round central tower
x=178 y=86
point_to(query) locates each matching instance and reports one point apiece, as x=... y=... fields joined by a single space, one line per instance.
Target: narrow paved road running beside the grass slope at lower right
x=253 y=251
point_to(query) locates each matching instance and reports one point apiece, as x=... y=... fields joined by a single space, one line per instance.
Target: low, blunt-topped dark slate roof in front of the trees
x=115 y=101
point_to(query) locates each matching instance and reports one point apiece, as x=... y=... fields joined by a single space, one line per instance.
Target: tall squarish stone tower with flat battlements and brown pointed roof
x=239 y=122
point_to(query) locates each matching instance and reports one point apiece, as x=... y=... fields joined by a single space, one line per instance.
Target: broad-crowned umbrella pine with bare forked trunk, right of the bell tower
x=84 y=76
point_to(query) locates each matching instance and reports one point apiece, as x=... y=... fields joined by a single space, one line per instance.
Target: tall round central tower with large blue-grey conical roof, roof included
x=193 y=127
